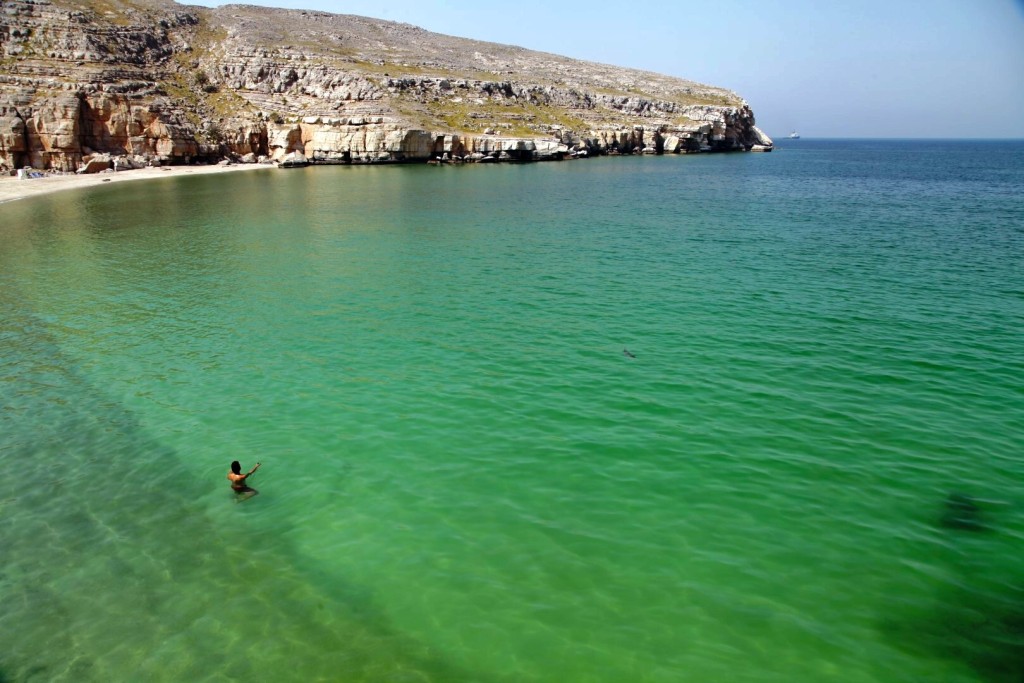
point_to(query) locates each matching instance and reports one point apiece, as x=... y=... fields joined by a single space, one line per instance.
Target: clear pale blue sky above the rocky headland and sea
x=865 y=69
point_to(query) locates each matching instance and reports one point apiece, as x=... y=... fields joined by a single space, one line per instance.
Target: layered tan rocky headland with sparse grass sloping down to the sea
x=84 y=83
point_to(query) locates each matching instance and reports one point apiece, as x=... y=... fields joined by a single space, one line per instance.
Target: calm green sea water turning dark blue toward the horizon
x=809 y=467
